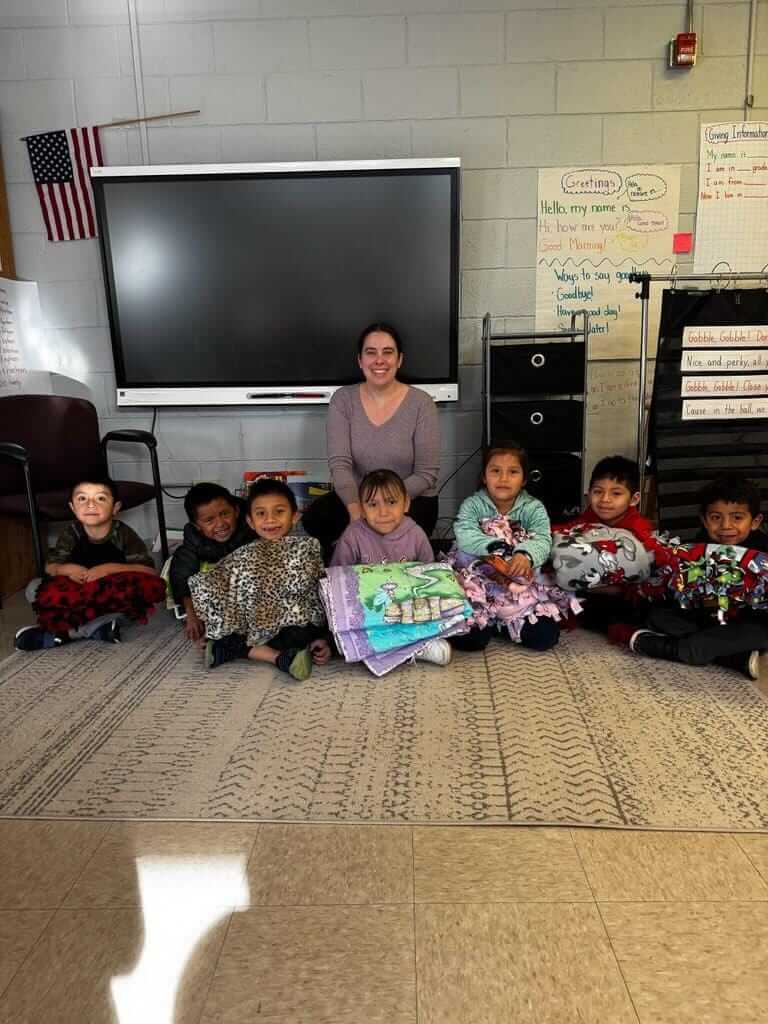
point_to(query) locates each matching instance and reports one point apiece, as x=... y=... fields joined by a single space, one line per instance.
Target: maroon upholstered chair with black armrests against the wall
x=48 y=445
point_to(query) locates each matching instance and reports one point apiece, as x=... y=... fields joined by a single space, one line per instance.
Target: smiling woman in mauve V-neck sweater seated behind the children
x=379 y=424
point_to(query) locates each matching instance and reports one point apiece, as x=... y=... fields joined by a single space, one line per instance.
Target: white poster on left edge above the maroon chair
x=21 y=333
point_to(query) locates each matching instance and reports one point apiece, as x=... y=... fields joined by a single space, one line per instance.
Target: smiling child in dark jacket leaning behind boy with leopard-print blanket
x=218 y=527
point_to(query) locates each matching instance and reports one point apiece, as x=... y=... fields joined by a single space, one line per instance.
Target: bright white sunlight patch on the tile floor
x=183 y=899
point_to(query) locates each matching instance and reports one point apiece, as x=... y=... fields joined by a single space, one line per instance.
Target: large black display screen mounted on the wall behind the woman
x=267 y=280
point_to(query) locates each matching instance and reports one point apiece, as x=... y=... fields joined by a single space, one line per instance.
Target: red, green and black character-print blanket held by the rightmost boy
x=723 y=578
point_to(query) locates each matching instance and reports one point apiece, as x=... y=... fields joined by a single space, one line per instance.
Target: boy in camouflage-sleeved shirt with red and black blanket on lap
x=98 y=571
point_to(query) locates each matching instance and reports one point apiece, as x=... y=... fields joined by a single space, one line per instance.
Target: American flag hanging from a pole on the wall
x=60 y=165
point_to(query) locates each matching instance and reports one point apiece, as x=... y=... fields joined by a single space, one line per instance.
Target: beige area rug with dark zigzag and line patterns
x=585 y=736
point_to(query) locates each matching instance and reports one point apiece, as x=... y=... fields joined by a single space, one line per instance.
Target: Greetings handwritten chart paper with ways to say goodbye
x=595 y=227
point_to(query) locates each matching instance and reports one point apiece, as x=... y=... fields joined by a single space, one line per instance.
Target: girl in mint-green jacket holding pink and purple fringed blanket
x=503 y=518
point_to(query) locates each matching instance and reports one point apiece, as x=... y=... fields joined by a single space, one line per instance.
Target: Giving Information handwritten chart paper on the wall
x=733 y=209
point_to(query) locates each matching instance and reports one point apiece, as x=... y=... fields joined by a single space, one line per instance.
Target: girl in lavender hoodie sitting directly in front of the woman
x=386 y=534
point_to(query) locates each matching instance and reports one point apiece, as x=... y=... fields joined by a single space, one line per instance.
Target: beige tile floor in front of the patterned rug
x=154 y=923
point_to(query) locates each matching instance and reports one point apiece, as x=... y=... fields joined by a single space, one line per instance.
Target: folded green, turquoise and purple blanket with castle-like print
x=385 y=615
